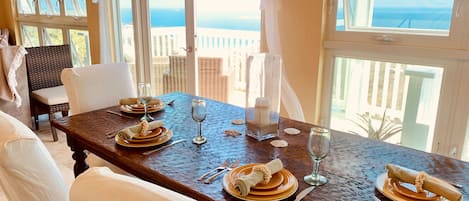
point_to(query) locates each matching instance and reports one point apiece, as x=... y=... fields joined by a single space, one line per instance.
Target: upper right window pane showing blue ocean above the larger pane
x=429 y=16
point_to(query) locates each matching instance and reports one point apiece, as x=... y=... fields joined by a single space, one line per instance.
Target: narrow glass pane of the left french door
x=168 y=41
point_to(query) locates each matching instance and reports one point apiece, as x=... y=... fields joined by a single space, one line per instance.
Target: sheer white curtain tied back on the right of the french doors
x=290 y=101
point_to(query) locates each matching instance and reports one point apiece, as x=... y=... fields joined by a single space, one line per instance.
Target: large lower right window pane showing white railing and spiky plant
x=392 y=102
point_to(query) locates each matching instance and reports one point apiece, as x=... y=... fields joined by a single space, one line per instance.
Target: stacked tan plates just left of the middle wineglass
x=153 y=138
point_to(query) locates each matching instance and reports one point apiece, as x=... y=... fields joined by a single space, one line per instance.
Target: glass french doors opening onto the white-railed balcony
x=180 y=46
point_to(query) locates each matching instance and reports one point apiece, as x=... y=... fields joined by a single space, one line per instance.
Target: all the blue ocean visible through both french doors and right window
x=417 y=18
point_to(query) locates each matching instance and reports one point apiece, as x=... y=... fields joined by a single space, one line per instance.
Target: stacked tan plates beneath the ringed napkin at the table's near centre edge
x=282 y=185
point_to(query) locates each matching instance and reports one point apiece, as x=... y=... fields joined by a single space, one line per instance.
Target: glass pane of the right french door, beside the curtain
x=227 y=32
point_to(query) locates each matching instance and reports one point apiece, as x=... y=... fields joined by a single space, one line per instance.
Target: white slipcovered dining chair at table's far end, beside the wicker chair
x=95 y=87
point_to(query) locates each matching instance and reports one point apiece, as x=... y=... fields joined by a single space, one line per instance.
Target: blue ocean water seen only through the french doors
x=176 y=17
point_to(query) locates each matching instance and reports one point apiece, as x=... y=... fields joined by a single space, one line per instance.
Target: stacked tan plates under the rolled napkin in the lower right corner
x=400 y=191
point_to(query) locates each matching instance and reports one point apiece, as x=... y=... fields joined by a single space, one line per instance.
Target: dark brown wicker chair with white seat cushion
x=47 y=94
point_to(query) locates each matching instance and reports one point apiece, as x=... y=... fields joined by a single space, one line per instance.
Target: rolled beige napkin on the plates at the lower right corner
x=430 y=183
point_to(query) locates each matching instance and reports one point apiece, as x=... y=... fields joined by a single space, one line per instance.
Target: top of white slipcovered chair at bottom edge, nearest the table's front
x=100 y=183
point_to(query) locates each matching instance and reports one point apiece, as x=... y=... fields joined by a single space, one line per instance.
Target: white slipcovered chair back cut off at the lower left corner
x=27 y=170
